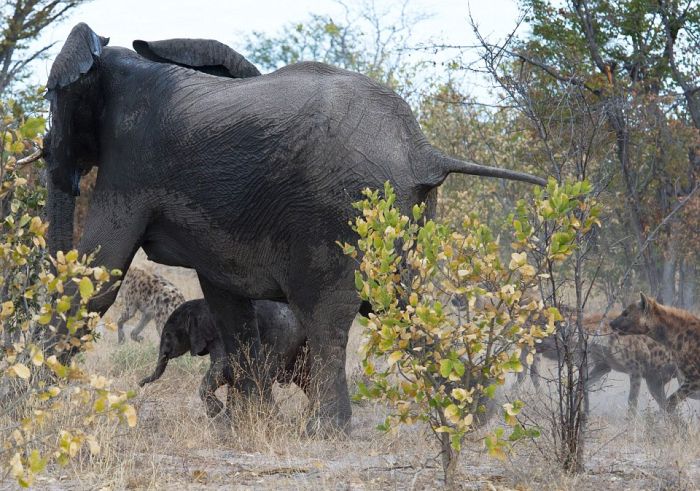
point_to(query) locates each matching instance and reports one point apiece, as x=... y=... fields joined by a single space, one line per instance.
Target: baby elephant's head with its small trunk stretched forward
x=189 y=328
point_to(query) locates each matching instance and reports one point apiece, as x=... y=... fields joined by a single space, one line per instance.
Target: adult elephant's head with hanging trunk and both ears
x=76 y=95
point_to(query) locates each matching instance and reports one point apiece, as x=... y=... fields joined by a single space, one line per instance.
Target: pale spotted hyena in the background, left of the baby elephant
x=148 y=293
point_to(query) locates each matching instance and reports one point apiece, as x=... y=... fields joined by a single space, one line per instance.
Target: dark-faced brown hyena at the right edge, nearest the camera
x=676 y=329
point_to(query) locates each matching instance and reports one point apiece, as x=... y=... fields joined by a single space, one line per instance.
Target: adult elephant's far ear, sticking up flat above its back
x=204 y=55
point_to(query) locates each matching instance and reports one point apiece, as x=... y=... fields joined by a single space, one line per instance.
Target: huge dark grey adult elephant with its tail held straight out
x=247 y=180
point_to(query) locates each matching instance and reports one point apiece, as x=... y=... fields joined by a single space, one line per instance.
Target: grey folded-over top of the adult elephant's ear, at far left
x=76 y=58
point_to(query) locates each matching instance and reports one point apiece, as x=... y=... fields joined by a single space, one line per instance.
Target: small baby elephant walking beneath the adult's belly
x=191 y=328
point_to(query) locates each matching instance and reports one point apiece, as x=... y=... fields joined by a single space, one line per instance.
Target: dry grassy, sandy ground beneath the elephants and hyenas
x=175 y=446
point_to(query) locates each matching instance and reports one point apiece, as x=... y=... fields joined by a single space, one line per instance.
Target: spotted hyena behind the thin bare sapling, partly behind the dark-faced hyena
x=637 y=356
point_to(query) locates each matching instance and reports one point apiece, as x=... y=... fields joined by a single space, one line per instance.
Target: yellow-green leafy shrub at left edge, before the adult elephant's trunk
x=43 y=316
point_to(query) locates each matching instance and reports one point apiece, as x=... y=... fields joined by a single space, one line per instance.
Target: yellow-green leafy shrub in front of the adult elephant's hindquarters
x=442 y=363
